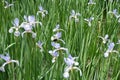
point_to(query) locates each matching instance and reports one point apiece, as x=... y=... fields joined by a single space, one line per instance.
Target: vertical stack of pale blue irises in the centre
x=55 y=43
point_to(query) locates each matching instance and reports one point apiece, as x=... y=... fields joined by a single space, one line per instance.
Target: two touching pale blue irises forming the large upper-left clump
x=28 y=25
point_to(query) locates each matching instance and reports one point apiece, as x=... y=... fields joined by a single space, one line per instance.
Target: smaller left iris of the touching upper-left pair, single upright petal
x=16 y=26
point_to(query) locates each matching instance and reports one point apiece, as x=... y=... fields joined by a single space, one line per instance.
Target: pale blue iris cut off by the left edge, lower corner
x=8 y=60
